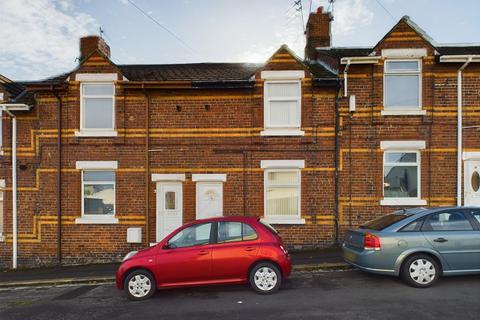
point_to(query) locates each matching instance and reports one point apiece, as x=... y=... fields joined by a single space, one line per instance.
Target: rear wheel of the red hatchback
x=265 y=278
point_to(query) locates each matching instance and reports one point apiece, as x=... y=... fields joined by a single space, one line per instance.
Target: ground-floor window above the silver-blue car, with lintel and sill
x=402 y=173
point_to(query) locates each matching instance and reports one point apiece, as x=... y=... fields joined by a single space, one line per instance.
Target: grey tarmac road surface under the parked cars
x=318 y=294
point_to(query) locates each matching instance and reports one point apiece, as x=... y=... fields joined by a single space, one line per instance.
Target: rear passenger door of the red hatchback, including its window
x=235 y=250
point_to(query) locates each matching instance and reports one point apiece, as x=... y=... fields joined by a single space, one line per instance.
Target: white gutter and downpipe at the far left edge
x=8 y=108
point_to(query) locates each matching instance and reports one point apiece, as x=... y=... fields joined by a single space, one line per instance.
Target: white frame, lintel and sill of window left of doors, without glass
x=97 y=166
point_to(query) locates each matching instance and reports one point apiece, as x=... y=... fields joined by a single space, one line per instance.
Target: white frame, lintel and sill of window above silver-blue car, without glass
x=403 y=147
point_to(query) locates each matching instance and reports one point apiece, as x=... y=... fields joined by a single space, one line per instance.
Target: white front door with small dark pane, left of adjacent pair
x=169 y=208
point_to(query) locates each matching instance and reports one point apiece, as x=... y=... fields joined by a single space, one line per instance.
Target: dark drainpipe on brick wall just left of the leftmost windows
x=59 y=177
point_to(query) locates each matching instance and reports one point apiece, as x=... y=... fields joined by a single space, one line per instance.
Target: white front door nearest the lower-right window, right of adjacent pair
x=209 y=199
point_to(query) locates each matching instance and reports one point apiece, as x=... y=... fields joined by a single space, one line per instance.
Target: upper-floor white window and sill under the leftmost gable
x=97 y=109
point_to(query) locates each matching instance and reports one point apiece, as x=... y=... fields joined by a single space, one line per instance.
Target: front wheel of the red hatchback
x=140 y=285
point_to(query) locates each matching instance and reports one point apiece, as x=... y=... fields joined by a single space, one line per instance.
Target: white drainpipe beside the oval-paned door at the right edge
x=460 y=130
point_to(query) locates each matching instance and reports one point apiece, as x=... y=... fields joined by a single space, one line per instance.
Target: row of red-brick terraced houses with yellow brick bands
x=111 y=158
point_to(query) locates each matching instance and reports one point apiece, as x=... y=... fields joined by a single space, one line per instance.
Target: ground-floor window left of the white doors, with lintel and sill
x=98 y=192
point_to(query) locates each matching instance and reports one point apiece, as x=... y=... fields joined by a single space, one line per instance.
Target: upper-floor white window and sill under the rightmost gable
x=402 y=87
